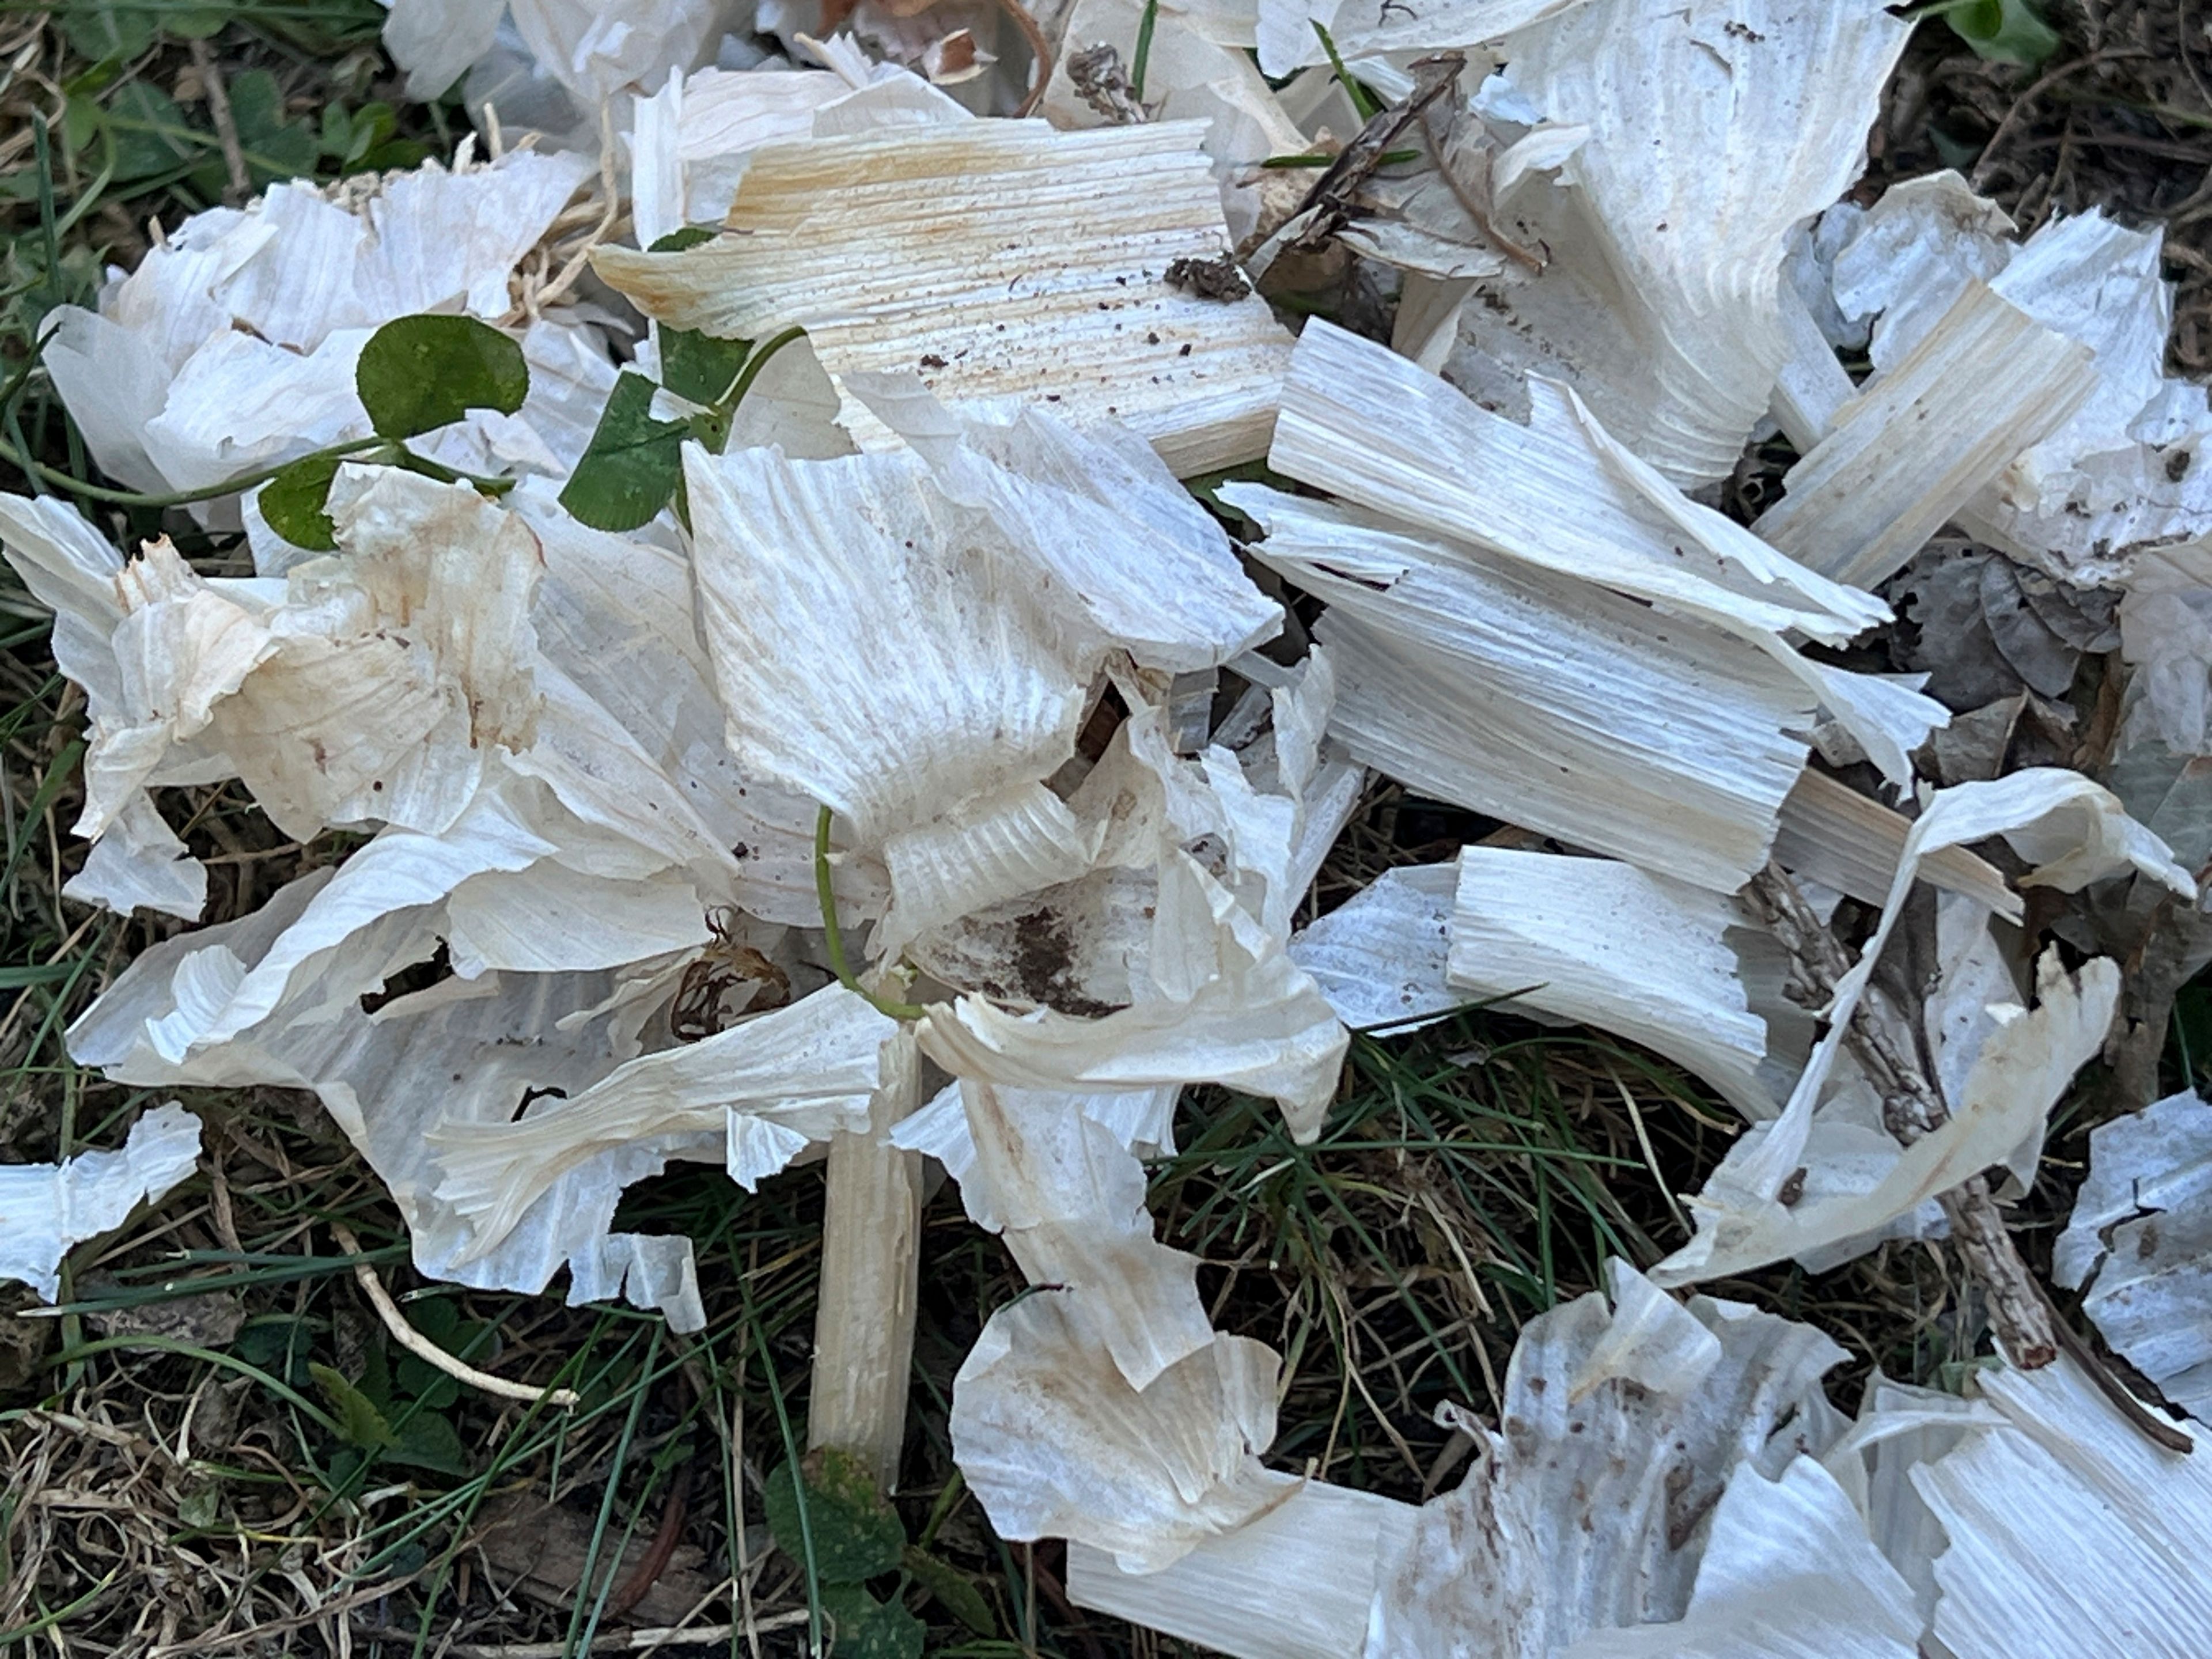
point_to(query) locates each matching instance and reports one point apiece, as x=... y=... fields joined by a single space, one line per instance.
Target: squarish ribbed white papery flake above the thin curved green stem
x=877 y=647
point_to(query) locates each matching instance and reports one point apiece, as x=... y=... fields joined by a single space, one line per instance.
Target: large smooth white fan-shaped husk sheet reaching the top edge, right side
x=1713 y=132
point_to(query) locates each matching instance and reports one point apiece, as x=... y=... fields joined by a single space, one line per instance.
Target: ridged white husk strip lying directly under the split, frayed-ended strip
x=1450 y=680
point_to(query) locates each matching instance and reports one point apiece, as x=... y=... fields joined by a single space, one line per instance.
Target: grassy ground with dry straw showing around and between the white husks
x=178 y=1472
